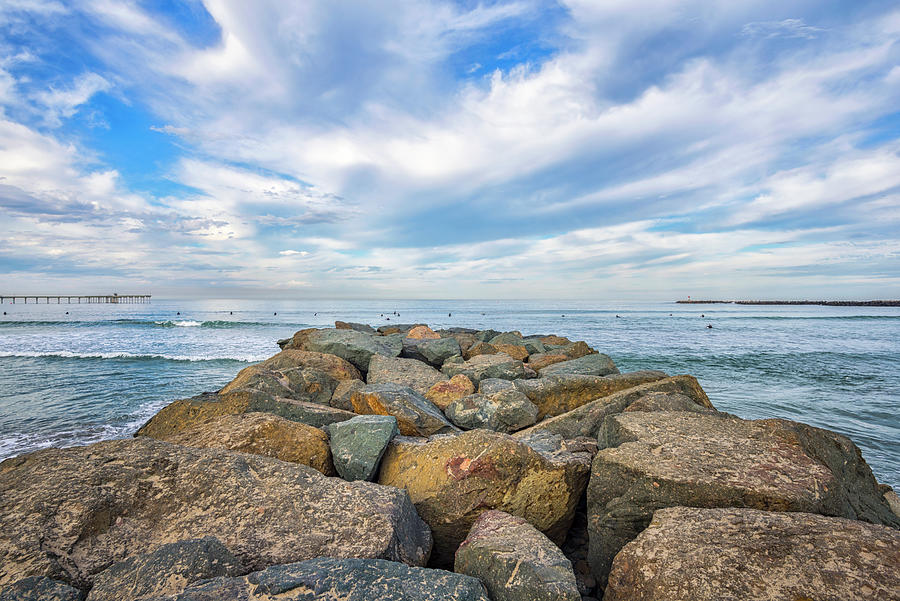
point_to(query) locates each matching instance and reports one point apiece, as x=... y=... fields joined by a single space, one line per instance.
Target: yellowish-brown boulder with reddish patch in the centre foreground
x=453 y=479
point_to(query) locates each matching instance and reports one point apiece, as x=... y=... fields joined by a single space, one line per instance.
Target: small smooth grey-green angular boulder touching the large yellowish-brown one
x=358 y=444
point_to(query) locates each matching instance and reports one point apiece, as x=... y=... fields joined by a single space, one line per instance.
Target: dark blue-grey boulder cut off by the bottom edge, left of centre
x=329 y=579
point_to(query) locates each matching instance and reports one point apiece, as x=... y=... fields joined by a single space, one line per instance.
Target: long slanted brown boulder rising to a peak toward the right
x=586 y=420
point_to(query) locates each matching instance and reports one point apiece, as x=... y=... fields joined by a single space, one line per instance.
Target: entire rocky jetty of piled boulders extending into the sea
x=401 y=463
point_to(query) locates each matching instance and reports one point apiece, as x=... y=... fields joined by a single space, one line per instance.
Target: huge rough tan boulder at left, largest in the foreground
x=70 y=513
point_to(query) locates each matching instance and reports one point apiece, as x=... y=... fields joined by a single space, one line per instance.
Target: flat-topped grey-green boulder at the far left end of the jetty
x=355 y=347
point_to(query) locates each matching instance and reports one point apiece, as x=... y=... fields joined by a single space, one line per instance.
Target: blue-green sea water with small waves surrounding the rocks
x=100 y=371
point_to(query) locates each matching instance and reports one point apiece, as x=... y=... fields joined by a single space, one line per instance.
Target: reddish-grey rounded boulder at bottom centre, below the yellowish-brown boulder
x=515 y=561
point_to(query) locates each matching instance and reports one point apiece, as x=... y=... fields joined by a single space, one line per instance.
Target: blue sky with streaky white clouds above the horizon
x=584 y=149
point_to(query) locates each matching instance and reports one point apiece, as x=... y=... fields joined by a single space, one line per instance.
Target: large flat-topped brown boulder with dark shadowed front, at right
x=652 y=460
